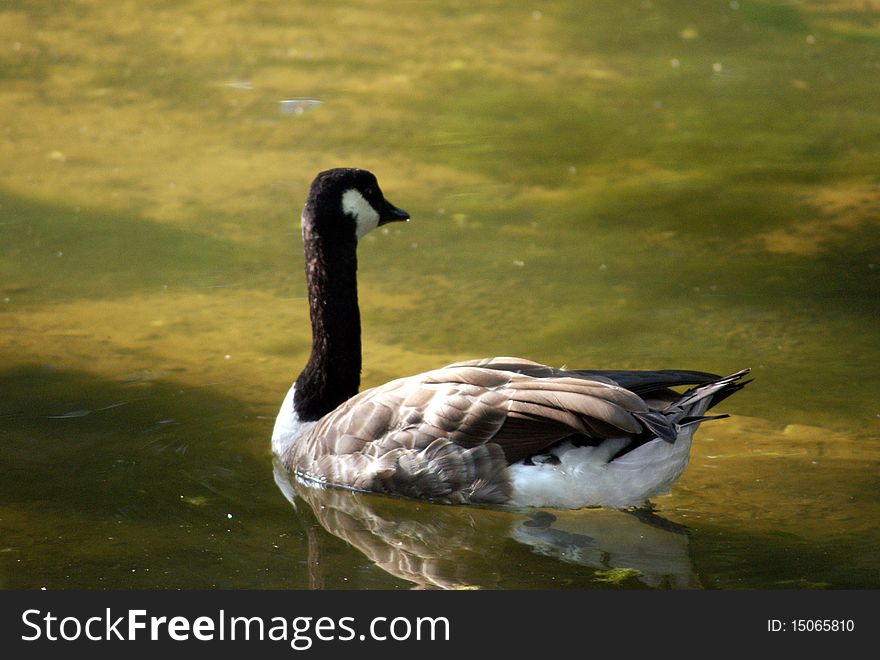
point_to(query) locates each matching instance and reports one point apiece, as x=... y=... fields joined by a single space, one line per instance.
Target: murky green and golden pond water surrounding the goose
x=605 y=184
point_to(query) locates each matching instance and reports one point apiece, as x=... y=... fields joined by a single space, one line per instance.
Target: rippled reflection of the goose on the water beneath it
x=436 y=546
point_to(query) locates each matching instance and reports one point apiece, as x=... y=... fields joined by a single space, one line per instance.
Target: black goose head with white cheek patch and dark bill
x=347 y=202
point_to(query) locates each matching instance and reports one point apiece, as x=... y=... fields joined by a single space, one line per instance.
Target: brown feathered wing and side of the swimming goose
x=450 y=433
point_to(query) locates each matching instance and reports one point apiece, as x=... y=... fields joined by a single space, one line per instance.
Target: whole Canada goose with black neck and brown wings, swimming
x=494 y=431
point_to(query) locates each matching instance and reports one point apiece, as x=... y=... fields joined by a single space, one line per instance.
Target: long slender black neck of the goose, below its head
x=333 y=372
